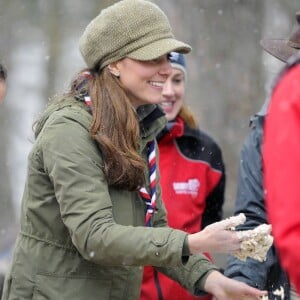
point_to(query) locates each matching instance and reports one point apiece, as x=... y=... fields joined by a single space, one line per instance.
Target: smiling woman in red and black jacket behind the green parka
x=192 y=177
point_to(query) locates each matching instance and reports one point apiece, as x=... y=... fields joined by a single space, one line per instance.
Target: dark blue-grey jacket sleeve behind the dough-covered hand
x=250 y=201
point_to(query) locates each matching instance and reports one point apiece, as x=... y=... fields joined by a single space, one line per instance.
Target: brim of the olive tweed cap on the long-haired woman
x=159 y=48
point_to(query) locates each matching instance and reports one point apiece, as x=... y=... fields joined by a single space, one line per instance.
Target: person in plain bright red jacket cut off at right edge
x=281 y=157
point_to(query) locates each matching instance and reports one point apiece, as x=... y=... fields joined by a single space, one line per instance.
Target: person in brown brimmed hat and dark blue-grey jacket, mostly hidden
x=250 y=198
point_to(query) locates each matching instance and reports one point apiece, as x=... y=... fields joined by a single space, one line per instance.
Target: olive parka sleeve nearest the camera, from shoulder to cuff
x=73 y=162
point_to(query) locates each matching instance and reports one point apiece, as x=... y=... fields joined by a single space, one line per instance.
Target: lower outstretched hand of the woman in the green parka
x=223 y=288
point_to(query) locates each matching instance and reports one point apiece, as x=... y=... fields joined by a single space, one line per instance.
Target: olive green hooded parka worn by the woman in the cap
x=79 y=237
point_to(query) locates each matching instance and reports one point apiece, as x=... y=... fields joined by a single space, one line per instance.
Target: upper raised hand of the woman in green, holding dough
x=215 y=238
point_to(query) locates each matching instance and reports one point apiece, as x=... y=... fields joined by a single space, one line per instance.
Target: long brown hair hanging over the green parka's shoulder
x=115 y=127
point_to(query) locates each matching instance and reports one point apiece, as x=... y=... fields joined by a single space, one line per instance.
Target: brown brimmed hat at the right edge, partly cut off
x=283 y=49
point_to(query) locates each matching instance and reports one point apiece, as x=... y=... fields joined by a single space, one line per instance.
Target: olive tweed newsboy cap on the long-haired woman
x=130 y=28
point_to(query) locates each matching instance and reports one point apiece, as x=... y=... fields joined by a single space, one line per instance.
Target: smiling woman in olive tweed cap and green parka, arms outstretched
x=92 y=214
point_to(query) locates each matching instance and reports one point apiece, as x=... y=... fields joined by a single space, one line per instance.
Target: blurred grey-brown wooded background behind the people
x=229 y=74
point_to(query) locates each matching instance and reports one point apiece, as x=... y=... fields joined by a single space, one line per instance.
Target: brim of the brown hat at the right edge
x=279 y=48
